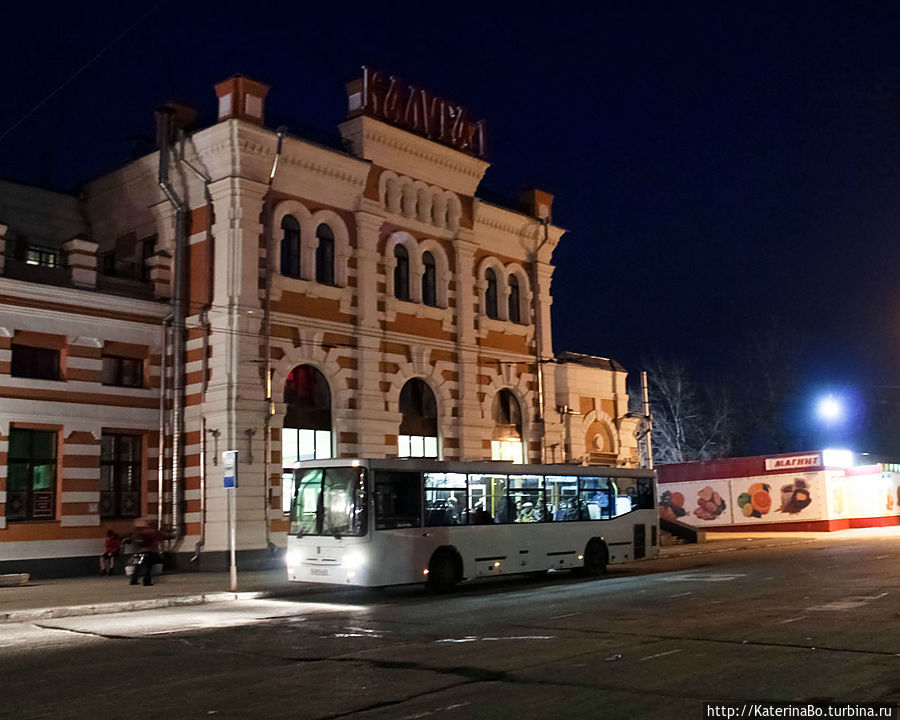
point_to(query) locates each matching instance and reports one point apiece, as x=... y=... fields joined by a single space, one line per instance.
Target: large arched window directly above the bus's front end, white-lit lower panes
x=306 y=434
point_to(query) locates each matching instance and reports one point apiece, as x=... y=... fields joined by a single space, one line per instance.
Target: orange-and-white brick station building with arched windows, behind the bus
x=243 y=289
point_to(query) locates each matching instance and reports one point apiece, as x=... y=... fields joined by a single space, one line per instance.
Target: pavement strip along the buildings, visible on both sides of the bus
x=44 y=599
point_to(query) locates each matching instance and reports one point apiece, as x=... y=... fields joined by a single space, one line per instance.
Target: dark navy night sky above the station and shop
x=725 y=170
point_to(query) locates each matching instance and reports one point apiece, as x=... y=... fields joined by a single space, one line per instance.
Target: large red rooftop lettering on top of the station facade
x=388 y=98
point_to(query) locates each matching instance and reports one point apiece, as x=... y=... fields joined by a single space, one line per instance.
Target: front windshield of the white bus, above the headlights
x=329 y=501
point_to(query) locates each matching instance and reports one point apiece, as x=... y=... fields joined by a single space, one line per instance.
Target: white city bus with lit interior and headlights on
x=391 y=522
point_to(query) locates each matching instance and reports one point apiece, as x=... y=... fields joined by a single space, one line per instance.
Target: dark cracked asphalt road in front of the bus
x=651 y=640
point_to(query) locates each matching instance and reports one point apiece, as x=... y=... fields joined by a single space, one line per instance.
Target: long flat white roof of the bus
x=486 y=467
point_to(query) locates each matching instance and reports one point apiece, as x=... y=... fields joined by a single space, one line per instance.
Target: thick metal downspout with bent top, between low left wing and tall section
x=163 y=118
